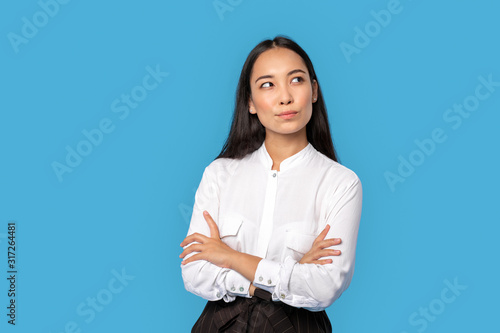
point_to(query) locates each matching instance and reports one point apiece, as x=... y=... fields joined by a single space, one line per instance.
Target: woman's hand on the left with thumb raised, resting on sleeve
x=212 y=248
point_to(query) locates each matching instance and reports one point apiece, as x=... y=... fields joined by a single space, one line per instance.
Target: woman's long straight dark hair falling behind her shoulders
x=247 y=133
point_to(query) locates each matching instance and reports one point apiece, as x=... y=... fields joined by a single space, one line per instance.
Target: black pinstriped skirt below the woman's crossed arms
x=259 y=314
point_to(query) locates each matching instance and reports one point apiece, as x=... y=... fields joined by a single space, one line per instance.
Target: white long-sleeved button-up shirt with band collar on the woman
x=276 y=215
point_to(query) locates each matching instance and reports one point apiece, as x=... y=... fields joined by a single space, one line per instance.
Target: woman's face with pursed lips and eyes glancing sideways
x=282 y=92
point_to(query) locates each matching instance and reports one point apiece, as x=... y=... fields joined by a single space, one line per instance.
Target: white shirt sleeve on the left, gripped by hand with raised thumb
x=201 y=277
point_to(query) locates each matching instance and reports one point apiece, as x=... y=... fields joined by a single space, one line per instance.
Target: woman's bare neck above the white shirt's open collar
x=280 y=147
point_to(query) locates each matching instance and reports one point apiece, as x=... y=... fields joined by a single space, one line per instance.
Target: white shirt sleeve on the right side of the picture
x=312 y=286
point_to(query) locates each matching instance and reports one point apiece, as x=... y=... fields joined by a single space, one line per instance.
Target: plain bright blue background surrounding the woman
x=126 y=206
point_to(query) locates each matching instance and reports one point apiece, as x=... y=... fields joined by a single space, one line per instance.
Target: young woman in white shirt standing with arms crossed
x=273 y=233
